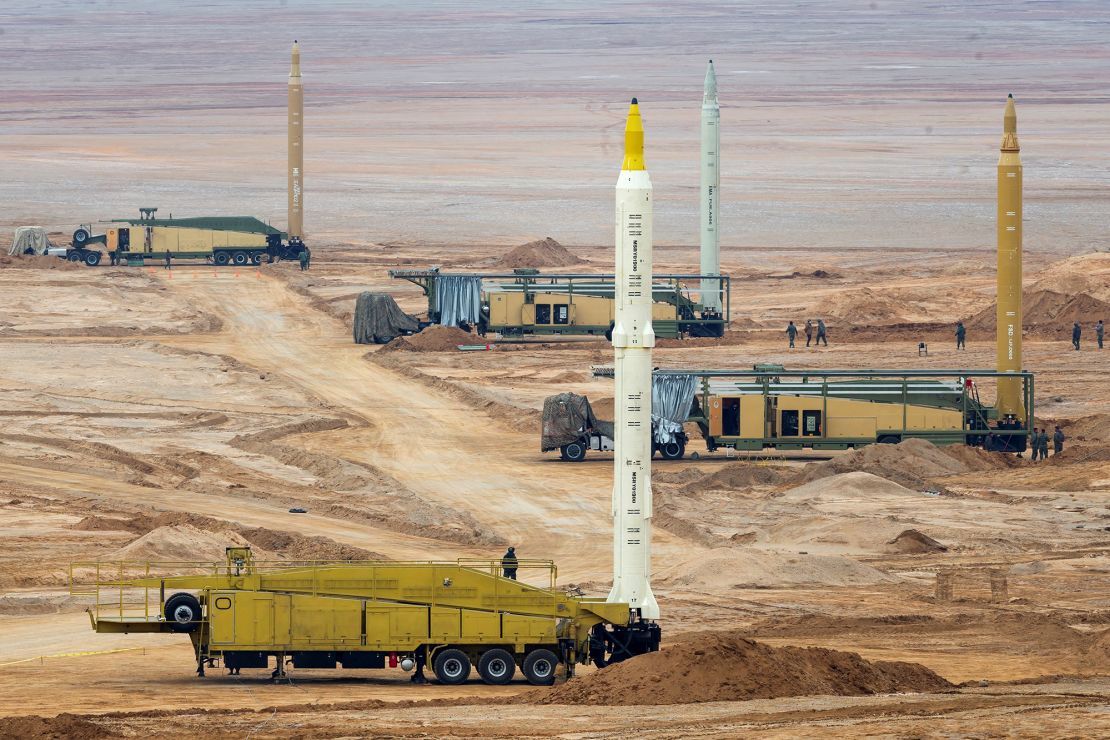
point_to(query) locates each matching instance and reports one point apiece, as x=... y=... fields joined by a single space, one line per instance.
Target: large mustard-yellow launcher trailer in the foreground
x=451 y=616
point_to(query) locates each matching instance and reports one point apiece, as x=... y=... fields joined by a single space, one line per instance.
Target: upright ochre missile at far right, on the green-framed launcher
x=1011 y=401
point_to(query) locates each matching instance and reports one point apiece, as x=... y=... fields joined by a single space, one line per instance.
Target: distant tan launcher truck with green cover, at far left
x=219 y=240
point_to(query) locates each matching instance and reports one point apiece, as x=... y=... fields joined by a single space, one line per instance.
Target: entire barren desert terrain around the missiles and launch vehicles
x=163 y=415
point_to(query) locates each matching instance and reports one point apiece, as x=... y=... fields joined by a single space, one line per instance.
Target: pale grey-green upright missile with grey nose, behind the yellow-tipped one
x=711 y=188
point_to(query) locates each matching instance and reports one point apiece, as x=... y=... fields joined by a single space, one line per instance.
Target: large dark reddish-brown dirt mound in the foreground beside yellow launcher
x=726 y=667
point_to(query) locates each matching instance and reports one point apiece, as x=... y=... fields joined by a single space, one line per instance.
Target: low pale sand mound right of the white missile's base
x=724 y=569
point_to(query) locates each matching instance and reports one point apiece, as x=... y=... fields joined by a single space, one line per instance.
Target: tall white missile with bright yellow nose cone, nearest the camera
x=633 y=340
